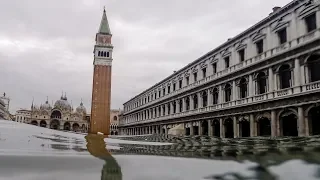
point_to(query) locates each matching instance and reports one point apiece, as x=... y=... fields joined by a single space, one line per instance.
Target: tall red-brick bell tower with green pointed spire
x=101 y=88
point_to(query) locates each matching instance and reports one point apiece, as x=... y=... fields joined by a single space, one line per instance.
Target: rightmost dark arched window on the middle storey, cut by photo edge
x=313 y=67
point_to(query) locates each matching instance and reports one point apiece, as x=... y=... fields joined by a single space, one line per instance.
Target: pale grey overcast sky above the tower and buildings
x=46 y=46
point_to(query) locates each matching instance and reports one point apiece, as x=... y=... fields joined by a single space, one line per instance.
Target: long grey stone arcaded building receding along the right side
x=263 y=82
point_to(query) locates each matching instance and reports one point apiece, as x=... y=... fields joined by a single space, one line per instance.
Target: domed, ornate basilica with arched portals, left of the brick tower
x=60 y=116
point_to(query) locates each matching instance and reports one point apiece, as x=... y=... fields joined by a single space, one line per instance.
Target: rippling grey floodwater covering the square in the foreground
x=33 y=153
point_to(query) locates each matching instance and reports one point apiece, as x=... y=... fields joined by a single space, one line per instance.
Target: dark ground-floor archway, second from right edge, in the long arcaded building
x=288 y=121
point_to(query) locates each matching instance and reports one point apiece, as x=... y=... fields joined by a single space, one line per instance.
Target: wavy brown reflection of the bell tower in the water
x=97 y=148
